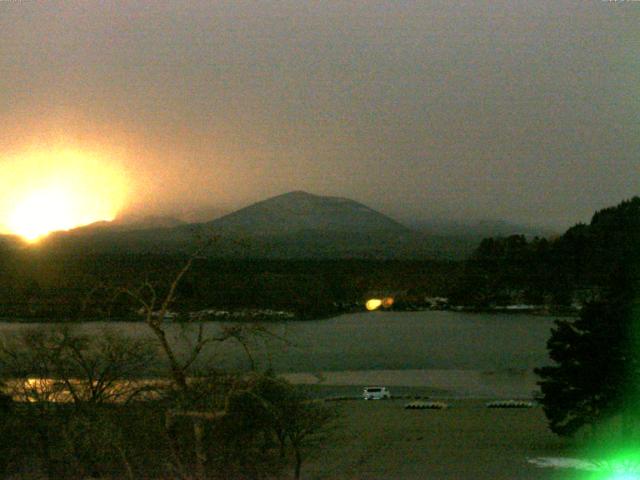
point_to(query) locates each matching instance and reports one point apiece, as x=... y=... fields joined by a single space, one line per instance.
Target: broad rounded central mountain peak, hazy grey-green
x=303 y=225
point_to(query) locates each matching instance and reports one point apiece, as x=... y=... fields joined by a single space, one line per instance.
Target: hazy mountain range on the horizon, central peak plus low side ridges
x=290 y=226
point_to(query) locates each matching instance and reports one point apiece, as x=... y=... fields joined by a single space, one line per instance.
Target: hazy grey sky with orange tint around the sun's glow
x=522 y=110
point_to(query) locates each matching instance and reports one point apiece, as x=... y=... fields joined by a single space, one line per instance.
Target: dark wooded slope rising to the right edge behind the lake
x=577 y=266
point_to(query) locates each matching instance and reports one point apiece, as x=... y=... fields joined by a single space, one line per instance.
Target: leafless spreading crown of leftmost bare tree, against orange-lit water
x=59 y=365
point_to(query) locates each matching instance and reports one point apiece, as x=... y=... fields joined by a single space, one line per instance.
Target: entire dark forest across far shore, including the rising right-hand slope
x=554 y=272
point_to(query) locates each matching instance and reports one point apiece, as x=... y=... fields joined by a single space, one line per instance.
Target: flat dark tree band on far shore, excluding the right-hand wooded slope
x=34 y=285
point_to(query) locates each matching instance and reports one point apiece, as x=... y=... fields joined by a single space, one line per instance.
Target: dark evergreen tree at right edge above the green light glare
x=597 y=365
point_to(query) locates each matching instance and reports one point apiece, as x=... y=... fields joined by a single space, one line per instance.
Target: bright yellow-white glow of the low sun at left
x=56 y=190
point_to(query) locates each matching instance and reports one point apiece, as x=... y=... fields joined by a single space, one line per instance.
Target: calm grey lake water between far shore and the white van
x=371 y=341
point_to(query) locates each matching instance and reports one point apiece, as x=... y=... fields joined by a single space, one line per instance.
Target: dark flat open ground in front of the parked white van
x=382 y=440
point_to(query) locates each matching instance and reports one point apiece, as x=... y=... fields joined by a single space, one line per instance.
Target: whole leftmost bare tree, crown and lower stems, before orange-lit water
x=47 y=368
